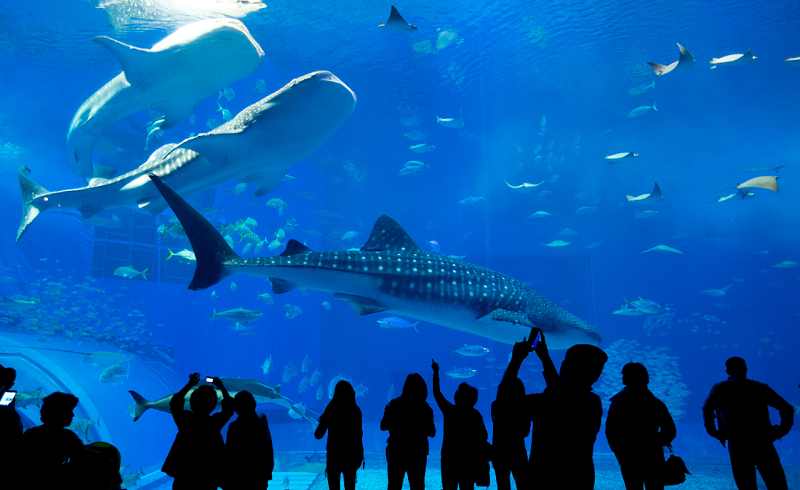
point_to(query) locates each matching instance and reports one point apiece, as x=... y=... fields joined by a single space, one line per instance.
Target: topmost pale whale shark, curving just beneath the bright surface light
x=179 y=71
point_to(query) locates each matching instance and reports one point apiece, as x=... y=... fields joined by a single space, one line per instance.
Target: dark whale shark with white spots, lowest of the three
x=390 y=273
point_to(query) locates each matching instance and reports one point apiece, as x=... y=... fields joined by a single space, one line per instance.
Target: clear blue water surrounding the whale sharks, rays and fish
x=506 y=66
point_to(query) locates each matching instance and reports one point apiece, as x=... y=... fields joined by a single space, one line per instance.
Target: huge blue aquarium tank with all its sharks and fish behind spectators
x=617 y=173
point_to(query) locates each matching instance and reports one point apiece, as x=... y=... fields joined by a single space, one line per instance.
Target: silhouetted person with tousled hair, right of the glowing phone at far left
x=50 y=450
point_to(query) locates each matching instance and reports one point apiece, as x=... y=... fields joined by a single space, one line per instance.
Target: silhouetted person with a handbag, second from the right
x=638 y=426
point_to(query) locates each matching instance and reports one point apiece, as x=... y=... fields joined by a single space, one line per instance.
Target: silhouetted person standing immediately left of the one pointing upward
x=409 y=420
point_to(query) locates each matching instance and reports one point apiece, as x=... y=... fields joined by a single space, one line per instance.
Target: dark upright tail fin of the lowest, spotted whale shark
x=214 y=257
